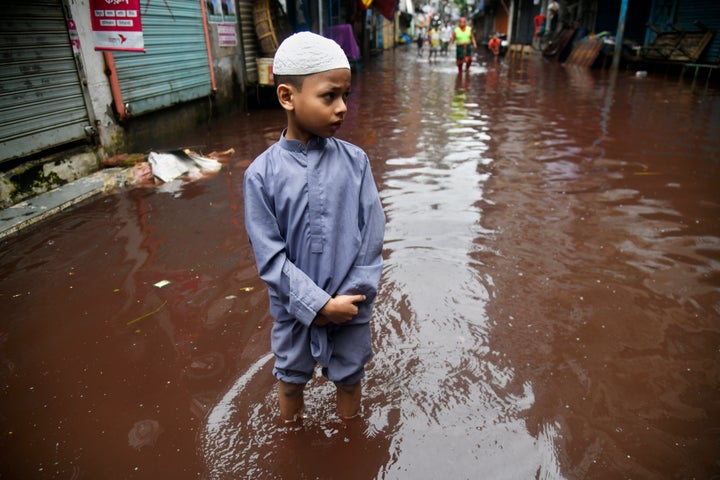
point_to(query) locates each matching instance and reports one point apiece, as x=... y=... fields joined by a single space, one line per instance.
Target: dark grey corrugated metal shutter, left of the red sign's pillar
x=41 y=98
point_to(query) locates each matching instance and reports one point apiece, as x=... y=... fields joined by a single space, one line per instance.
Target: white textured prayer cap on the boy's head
x=305 y=53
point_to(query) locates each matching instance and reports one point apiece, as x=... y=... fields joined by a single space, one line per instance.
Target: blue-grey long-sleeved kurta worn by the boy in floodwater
x=316 y=226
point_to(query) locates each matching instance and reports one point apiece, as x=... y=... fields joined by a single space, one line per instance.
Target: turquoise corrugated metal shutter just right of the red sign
x=174 y=67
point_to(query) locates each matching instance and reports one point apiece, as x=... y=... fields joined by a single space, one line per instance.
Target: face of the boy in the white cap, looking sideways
x=319 y=107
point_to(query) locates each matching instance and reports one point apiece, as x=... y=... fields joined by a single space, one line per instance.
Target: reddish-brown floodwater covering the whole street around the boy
x=550 y=305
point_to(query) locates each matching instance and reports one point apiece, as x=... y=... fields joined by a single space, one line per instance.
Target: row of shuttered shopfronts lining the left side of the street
x=65 y=105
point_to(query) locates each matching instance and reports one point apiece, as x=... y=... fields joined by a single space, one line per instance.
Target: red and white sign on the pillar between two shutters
x=116 y=25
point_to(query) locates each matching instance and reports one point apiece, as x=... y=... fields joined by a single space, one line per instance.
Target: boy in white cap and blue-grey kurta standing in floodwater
x=316 y=225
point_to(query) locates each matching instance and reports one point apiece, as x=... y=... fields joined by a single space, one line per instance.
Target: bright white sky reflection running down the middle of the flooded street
x=451 y=395
